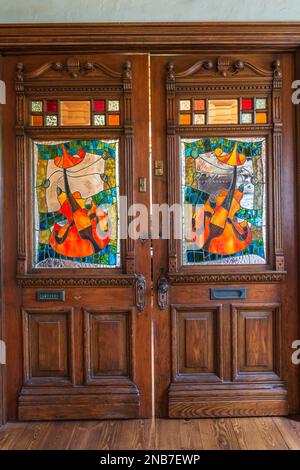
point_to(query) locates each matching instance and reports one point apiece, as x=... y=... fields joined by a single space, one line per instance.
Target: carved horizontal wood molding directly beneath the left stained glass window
x=122 y=280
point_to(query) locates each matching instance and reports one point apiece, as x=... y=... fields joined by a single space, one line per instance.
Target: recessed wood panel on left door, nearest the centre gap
x=107 y=344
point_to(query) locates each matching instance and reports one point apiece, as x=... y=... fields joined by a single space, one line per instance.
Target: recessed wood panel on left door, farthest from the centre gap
x=47 y=345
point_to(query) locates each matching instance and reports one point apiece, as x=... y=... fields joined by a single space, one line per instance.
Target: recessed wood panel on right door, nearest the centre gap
x=196 y=345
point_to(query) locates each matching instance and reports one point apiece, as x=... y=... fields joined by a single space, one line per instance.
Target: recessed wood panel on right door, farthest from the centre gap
x=256 y=341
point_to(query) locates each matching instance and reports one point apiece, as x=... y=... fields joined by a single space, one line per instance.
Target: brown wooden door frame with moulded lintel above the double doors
x=29 y=38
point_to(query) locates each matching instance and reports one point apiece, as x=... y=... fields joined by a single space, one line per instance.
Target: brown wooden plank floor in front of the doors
x=209 y=434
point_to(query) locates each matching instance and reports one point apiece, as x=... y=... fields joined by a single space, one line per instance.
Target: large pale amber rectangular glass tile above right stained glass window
x=223 y=111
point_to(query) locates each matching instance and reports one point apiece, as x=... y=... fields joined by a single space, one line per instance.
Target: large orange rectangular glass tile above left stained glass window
x=75 y=113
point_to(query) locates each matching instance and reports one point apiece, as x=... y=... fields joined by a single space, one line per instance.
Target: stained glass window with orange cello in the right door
x=224 y=196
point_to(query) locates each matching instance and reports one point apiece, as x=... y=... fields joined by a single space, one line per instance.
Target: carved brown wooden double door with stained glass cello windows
x=111 y=313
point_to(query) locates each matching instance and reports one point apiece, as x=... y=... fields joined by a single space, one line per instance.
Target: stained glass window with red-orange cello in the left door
x=76 y=216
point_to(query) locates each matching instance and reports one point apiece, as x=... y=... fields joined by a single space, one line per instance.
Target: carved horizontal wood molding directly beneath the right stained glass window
x=218 y=278
